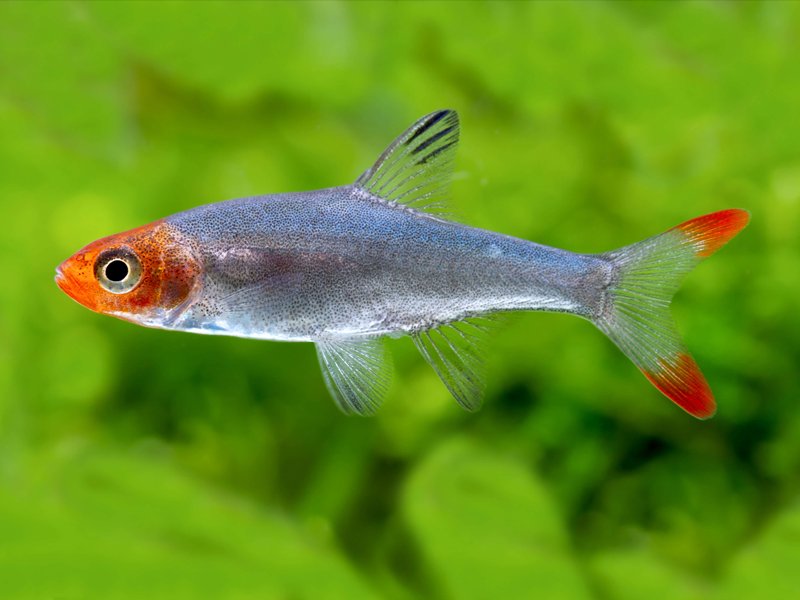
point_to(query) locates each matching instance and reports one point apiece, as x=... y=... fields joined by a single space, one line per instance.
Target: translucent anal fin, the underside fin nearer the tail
x=454 y=352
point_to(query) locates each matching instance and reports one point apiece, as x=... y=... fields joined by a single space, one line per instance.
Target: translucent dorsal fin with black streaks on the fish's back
x=416 y=168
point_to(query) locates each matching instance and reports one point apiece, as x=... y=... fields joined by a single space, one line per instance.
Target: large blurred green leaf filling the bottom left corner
x=130 y=527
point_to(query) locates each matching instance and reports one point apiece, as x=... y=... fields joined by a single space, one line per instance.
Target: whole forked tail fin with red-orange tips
x=636 y=313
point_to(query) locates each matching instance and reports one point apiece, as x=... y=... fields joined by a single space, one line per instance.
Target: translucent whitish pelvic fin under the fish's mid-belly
x=357 y=373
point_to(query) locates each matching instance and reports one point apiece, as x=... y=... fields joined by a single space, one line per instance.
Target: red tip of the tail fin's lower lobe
x=682 y=382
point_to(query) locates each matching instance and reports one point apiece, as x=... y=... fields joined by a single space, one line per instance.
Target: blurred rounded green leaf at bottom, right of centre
x=487 y=528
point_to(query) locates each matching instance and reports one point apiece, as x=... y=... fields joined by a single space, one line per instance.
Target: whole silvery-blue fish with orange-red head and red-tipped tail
x=347 y=267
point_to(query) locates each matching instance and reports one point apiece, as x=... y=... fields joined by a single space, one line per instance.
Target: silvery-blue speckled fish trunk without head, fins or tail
x=342 y=263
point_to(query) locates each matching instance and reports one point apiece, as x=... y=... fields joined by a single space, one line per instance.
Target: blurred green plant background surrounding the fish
x=138 y=463
